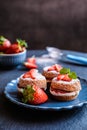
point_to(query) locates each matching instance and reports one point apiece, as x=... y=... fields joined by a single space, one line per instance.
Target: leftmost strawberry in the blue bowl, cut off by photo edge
x=4 y=44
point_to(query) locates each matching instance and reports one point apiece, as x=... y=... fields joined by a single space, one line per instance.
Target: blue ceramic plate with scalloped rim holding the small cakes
x=11 y=93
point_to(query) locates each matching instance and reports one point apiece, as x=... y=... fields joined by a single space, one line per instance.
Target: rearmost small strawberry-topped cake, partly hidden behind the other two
x=51 y=71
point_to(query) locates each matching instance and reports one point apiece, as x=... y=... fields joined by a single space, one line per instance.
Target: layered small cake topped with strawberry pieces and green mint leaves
x=65 y=86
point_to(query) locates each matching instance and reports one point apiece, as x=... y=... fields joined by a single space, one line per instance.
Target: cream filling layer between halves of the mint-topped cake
x=63 y=94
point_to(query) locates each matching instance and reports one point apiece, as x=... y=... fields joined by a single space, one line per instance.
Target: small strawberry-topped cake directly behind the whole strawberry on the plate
x=32 y=77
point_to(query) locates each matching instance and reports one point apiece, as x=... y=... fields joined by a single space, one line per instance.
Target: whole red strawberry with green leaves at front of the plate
x=34 y=95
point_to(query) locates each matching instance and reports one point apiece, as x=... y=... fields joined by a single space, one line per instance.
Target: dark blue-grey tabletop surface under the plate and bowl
x=14 y=117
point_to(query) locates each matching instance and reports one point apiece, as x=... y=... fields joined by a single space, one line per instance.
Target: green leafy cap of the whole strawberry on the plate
x=28 y=94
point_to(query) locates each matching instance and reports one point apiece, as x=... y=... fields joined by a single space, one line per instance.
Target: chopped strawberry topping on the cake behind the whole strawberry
x=31 y=74
